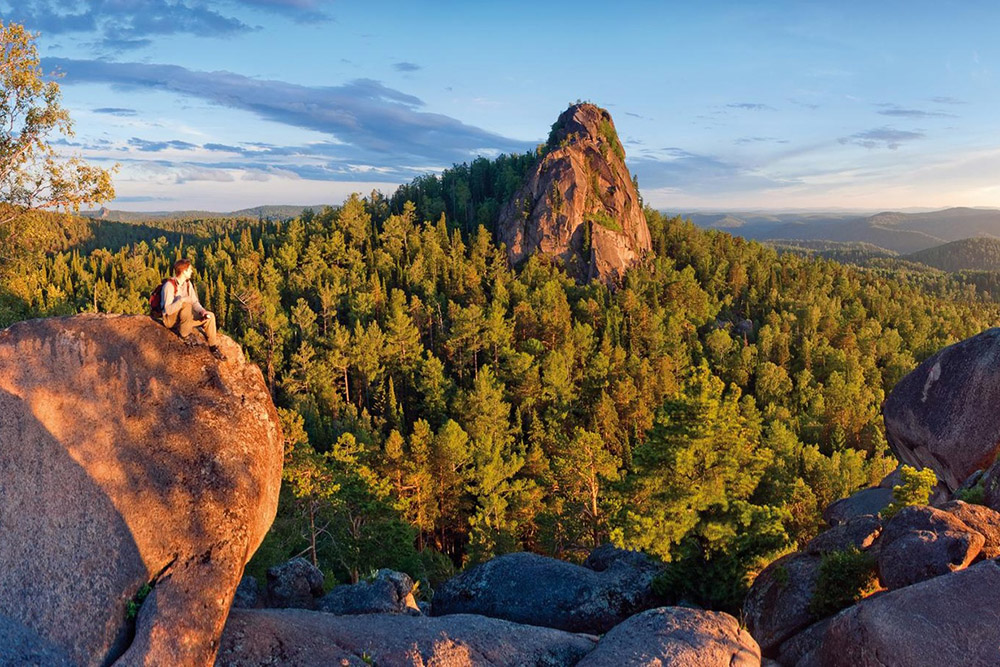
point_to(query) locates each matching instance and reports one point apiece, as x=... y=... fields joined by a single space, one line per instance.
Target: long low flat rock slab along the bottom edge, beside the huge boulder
x=299 y=638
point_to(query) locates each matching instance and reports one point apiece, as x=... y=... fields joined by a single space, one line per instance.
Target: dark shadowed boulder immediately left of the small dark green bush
x=777 y=605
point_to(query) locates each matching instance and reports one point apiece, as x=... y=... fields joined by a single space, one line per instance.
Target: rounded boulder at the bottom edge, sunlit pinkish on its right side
x=677 y=637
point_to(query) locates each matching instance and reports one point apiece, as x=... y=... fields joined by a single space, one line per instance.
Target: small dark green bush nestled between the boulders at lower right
x=845 y=577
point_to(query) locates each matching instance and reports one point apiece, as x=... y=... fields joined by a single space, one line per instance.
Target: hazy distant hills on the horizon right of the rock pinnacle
x=902 y=233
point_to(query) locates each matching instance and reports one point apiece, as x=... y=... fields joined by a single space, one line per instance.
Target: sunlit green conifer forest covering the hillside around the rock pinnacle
x=441 y=408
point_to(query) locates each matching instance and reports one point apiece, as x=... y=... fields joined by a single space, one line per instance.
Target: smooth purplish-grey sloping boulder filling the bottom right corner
x=949 y=620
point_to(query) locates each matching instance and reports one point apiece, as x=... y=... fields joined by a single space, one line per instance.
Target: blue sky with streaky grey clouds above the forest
x=222 y=105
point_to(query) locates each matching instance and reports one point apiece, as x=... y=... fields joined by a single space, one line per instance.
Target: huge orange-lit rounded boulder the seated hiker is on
x=128 y=458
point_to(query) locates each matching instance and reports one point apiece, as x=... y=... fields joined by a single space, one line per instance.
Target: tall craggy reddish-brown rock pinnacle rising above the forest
x=579 y=203
